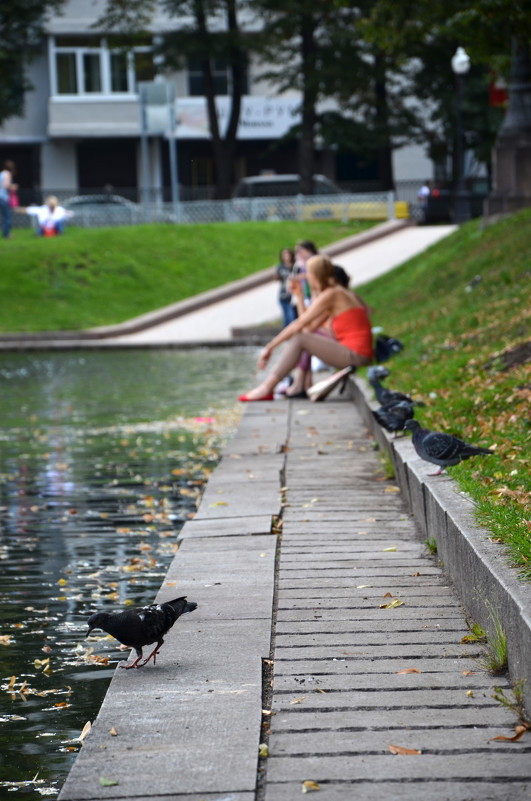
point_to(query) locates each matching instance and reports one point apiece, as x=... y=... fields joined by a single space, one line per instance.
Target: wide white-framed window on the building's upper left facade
x=88 y=65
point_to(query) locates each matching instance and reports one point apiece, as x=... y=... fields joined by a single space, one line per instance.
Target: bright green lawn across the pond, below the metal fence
x=91 y=277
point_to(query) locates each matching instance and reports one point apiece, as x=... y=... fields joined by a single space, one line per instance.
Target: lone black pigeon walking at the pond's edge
x=141 y=626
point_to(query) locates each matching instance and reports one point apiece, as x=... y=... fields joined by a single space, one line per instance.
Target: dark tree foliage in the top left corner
x=21 y=29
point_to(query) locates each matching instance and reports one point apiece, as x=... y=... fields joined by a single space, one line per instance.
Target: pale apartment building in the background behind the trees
x=81 y=130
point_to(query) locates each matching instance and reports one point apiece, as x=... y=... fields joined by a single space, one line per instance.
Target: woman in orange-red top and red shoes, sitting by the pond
x=349 y=322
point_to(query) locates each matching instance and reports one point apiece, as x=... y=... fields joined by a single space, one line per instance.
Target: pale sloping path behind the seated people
x=260 y=305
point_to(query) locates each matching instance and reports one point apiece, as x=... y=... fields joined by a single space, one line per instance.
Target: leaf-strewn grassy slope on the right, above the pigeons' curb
x=467 y=354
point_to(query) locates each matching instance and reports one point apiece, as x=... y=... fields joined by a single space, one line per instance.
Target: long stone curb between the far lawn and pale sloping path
x=175 y=310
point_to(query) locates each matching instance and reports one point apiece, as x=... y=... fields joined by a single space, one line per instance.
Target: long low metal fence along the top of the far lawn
x=116 y=209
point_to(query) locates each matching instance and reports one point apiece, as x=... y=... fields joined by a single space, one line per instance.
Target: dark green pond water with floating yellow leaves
x=102 y=459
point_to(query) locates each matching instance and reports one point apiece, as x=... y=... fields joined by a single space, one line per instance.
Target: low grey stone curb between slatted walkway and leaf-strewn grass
x=488 y=588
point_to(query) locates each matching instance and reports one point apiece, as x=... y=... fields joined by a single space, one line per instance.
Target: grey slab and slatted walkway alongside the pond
x=295 y=625
